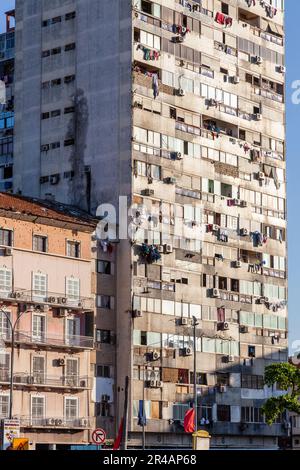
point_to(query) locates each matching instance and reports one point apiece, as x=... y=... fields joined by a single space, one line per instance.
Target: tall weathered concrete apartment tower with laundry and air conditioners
x=178 y=105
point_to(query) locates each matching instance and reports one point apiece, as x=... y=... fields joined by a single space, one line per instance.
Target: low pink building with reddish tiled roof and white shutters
x=49 y=290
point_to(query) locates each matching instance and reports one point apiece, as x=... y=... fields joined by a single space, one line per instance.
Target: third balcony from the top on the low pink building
x=41 y=381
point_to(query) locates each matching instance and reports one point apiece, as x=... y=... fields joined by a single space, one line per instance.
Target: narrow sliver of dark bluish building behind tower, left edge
x=7 y=48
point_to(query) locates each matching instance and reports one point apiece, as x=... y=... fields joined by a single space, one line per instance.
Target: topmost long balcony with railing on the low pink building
x=53 y=299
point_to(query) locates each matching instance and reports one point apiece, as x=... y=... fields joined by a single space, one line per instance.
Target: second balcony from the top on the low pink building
x=49 y=339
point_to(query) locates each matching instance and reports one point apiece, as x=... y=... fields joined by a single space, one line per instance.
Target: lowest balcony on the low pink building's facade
x=55 y=422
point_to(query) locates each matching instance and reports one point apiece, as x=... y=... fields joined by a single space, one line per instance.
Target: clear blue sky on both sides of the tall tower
x=293 y=164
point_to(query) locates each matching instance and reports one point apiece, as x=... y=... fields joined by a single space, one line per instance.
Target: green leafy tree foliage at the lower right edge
x=287 y=378
